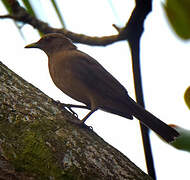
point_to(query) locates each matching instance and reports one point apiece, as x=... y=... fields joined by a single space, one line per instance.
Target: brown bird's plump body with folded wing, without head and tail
x=85 y=80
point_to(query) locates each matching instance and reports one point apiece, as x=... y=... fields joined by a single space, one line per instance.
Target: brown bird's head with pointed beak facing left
x=52 y=43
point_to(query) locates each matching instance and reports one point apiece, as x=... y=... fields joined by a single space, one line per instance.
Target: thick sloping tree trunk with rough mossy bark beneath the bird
x=37 y=140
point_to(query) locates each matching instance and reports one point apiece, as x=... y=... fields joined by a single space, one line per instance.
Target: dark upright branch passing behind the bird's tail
x=135 y=29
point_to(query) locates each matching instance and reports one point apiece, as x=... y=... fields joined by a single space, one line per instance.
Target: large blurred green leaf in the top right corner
x=178 y=13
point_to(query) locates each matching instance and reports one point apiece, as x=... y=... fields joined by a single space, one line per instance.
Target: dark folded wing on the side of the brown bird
x=96 y=77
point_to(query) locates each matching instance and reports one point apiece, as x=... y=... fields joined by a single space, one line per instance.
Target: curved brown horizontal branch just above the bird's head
x=21 y=15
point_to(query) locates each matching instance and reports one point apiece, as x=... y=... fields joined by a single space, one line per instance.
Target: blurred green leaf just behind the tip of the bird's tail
x=183 y=141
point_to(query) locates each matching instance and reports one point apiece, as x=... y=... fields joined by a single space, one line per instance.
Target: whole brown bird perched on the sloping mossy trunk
x=82 y=78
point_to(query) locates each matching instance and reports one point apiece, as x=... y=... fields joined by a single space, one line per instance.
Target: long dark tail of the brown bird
x=163 y=130
